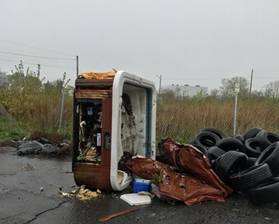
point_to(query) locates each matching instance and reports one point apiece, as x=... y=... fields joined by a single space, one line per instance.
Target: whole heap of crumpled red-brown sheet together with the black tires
x=213 y=166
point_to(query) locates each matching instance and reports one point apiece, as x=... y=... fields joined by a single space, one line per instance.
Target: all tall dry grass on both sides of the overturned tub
x=36 y=105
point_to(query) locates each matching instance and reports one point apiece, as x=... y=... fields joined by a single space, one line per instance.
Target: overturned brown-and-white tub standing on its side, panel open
x=114 y=114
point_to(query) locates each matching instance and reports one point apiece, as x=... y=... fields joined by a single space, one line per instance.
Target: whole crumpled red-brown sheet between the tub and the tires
x=183 y=173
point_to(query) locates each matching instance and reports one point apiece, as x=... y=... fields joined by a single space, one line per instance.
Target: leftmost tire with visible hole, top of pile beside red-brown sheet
x=205 y=140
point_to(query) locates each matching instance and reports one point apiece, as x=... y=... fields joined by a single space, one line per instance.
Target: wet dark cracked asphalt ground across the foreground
x=29 y=194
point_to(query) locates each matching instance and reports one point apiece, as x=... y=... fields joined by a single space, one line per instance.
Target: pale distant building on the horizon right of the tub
x=186 y=90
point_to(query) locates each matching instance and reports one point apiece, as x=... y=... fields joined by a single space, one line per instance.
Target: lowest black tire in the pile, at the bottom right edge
x=265 y=192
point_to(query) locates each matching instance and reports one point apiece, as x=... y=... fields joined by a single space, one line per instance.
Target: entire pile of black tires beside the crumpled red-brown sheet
x=248 y=163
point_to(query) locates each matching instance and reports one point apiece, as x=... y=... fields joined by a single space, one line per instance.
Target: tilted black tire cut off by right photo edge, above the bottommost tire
x=270 y=156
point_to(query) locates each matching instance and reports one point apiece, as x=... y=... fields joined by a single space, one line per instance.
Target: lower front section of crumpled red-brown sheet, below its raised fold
x=174 y=185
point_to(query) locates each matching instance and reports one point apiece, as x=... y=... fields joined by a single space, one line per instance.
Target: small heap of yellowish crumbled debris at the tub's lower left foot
x=81 y=193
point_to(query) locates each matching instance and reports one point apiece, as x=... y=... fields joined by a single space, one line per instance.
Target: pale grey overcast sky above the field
x=187 y=42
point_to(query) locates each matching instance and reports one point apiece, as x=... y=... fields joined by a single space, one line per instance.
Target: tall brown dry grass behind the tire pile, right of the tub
x=182 y=118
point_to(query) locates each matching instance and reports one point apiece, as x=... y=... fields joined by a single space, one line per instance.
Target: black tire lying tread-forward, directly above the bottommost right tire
x=251 y=177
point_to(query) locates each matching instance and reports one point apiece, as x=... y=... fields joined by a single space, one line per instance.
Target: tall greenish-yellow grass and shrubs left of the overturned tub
x=37 y=104
